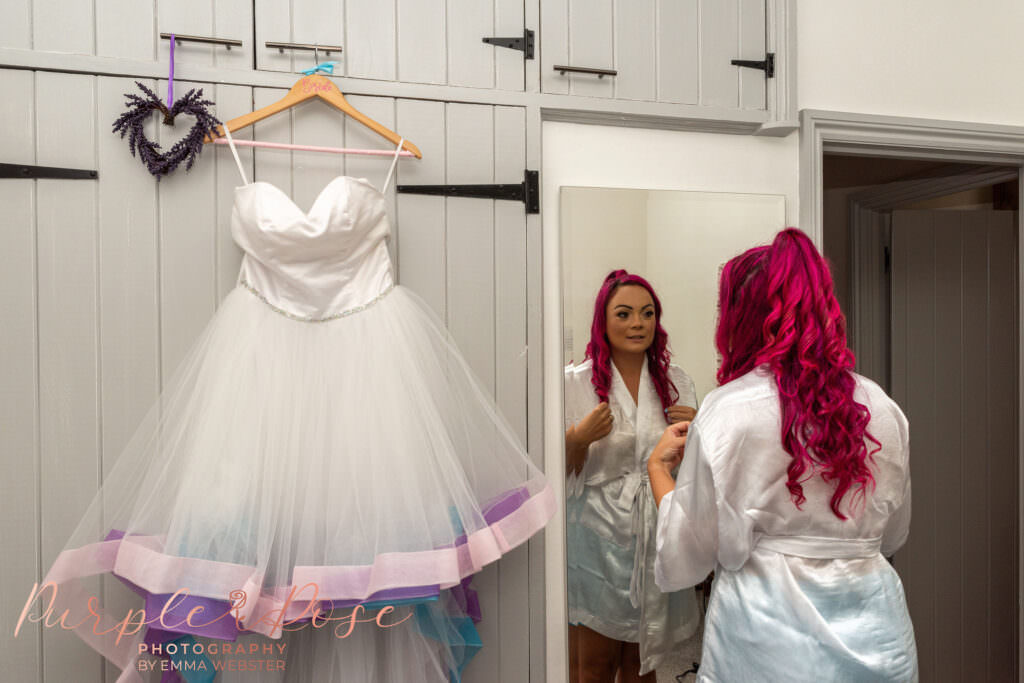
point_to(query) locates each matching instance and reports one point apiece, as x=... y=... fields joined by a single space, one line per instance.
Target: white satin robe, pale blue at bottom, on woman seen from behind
x=799 y=595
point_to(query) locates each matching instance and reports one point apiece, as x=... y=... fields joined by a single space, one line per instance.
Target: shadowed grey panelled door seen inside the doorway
x=955 y=362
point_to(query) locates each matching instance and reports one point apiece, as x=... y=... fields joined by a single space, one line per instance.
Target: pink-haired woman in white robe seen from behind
x=794 y=487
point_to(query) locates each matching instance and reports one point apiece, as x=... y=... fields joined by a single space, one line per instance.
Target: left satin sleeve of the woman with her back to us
x=688 y=523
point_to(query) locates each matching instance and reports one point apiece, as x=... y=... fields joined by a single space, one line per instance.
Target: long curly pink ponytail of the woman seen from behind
x=778 y=309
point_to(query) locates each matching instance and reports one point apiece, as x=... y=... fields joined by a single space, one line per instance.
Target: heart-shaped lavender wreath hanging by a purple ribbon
x=141 y=109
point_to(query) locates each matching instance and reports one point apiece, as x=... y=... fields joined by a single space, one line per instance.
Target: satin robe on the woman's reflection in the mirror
x=611 y=519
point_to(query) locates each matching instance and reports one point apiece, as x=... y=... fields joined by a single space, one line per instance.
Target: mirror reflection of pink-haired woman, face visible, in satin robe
x=618 y=403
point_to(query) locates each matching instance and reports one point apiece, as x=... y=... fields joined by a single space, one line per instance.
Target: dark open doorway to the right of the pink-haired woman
x=925 y=259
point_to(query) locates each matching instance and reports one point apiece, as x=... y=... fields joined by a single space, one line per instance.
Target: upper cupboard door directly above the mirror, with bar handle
x=677 y=52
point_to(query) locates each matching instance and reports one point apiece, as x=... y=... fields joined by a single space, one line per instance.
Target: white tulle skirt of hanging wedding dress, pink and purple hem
x=292 y=466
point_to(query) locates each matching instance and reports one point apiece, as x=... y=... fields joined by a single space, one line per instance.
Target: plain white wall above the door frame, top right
x=931 y=59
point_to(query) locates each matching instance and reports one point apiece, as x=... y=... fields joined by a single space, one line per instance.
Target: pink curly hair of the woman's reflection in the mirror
x=659 y=357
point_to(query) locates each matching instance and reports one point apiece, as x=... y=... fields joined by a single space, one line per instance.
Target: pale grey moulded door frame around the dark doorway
x=865 y=135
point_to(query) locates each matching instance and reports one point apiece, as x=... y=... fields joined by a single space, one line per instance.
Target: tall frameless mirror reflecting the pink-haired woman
x=639 y=286
